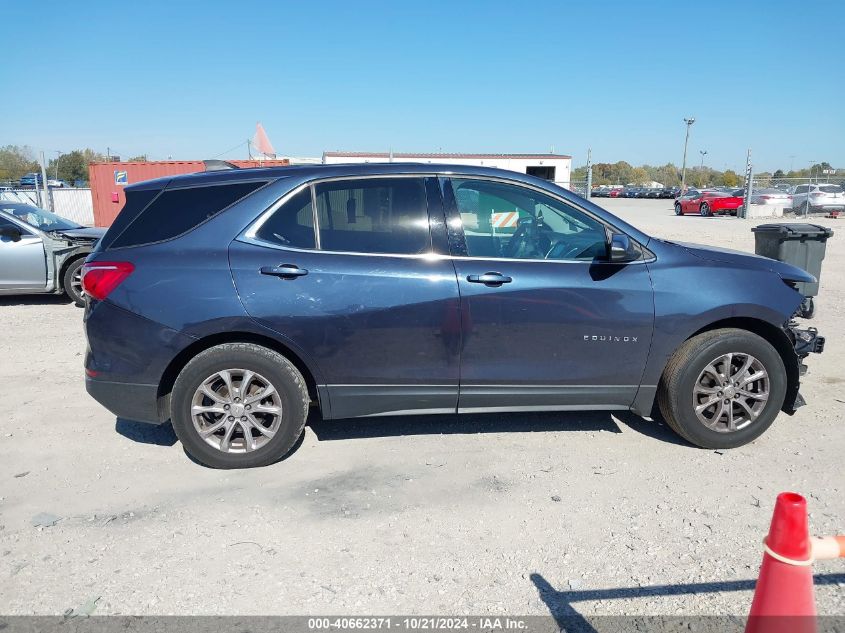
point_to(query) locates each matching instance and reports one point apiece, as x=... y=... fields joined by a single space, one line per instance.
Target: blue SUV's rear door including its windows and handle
x=347 y=273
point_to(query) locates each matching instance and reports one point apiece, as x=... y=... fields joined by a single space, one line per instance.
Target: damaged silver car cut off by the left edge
x=41 y=252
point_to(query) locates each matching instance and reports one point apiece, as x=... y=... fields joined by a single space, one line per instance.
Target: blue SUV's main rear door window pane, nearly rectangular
x=374 y=215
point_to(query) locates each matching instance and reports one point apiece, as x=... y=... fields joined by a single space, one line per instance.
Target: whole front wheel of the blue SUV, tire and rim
x=723 y=388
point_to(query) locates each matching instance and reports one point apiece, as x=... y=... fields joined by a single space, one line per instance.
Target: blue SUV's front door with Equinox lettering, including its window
x=547 y=322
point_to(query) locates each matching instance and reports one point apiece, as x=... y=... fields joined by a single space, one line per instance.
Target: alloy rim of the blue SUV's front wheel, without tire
x=731 y=392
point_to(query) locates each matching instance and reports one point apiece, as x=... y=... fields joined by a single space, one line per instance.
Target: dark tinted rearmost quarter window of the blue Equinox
x=177 y=211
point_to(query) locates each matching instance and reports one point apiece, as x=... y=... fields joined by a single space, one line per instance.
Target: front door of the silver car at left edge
x=22 y=262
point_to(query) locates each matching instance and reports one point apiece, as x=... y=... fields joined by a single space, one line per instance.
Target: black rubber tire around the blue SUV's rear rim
x=278 y=370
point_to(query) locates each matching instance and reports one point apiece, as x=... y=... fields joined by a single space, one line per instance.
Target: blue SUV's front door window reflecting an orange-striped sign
x=504 y=220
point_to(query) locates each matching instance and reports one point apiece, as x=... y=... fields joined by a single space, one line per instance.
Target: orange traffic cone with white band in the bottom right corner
x=783 y=597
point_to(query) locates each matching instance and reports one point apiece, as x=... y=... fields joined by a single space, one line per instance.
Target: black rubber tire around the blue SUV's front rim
x=674 y=395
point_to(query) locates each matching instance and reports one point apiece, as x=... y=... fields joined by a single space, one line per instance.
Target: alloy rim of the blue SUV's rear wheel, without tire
x=236 y=410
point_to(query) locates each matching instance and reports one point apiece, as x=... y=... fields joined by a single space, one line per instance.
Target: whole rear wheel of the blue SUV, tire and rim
x=239 y=405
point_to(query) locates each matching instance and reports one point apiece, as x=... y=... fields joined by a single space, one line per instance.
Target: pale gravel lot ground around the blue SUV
x=493 y=514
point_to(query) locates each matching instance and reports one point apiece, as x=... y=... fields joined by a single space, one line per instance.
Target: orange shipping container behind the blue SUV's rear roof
x=109 y=179
